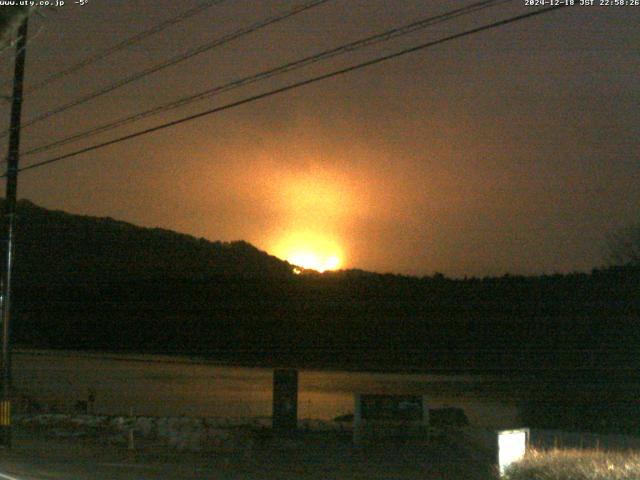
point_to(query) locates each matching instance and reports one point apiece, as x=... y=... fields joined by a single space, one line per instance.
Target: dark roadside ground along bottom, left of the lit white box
x=317 y=456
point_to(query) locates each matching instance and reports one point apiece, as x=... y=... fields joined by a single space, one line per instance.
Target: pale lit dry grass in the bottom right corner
x=576 y=465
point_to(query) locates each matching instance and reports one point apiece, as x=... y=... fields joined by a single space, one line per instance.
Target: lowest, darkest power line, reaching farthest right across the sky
x=292 y=86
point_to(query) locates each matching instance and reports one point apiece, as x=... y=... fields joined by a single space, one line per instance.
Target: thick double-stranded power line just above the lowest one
x=348 y=48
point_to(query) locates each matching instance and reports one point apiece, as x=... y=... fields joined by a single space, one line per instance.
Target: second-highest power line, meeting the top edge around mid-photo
x=173 y=61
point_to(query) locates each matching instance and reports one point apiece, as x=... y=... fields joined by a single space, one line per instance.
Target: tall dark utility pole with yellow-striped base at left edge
x=9 y=224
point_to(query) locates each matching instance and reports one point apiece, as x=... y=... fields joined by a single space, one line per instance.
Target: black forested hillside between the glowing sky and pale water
x=91 y=283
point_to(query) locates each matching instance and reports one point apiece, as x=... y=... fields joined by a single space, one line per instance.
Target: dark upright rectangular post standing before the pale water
x=285 y=400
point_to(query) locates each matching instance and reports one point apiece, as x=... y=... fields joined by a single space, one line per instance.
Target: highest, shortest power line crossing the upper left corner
x=123 y=44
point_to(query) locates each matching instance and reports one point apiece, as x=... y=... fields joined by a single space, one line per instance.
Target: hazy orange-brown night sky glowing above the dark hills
x=513 y=150
